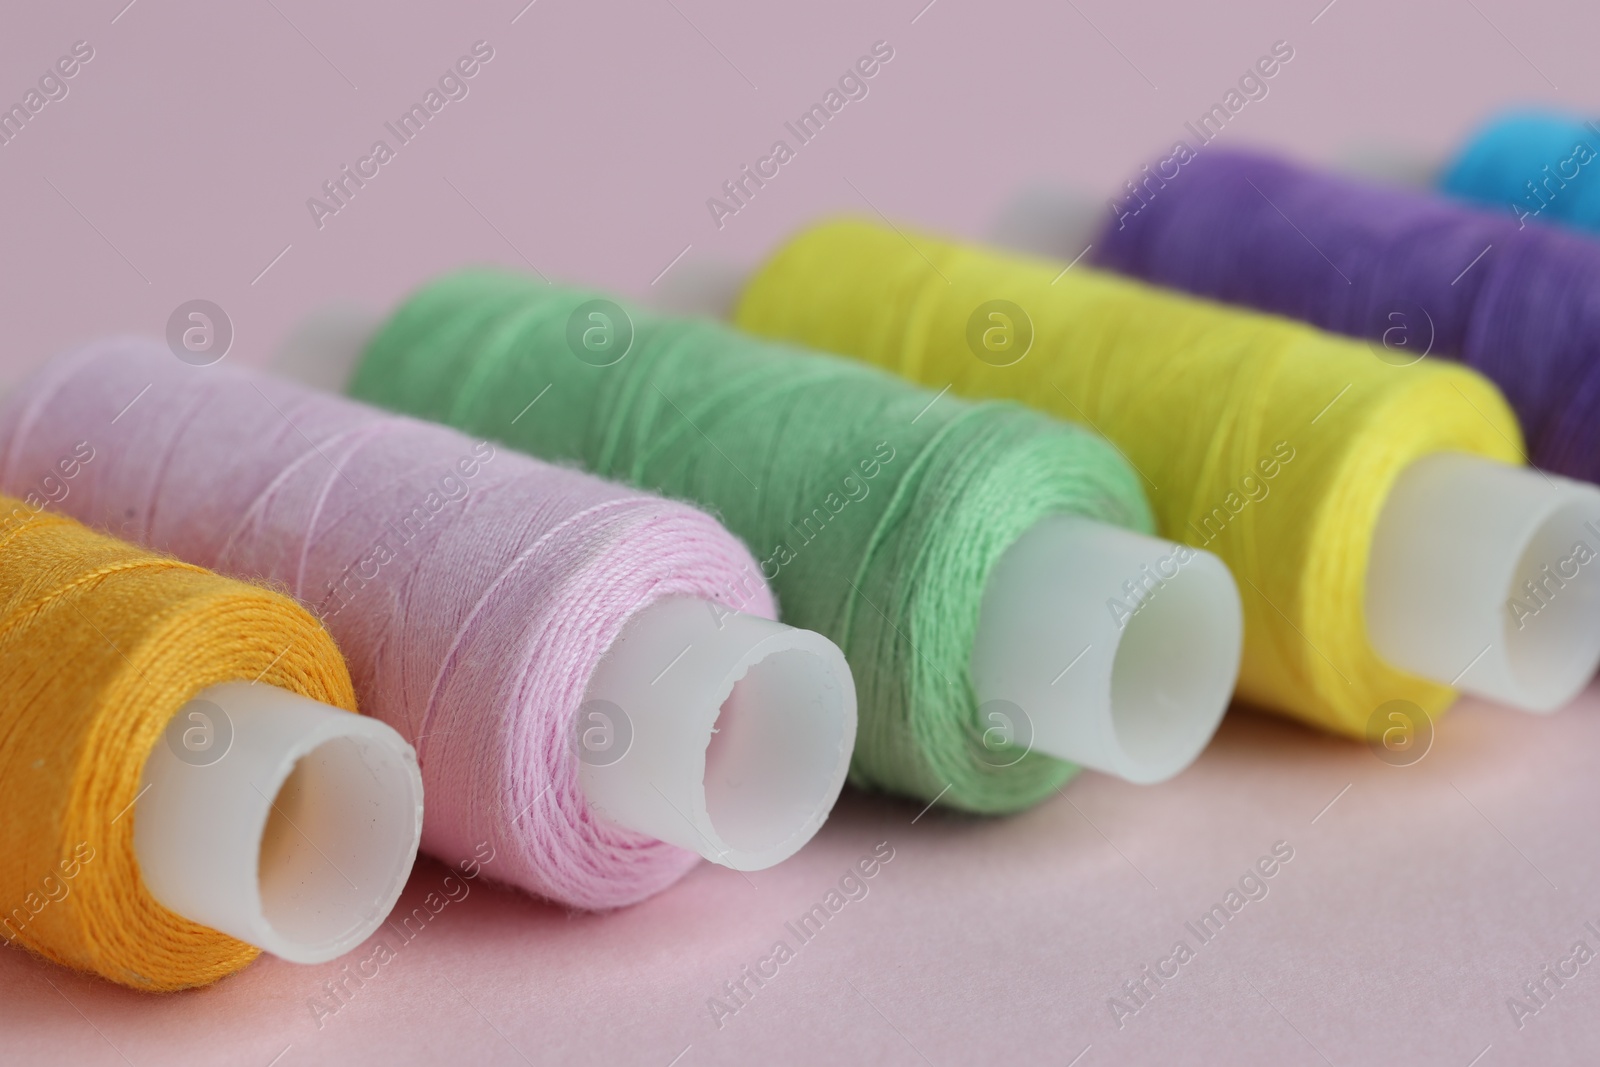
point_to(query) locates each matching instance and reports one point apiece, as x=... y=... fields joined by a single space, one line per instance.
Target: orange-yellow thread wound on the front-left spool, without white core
x=102 y=644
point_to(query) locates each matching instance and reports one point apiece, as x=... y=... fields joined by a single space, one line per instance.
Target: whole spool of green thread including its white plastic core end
x=940 y=543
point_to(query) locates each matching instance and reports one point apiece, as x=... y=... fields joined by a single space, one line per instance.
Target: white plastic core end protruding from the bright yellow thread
x=1486 y=577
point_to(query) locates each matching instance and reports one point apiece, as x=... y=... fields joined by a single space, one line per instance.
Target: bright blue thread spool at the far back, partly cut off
x=1534 y=166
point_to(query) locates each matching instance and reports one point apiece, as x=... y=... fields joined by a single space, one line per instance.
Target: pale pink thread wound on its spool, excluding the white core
x=471 y=589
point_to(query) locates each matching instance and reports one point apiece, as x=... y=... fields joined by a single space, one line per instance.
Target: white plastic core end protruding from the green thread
x=1106 y=649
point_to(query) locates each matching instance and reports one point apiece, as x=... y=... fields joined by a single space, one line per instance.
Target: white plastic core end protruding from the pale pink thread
x=718 y=732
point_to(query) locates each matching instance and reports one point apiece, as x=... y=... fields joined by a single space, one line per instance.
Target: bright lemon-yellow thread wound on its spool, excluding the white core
x=1263 y=441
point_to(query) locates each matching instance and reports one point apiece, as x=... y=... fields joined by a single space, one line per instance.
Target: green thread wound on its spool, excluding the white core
x=878 y=510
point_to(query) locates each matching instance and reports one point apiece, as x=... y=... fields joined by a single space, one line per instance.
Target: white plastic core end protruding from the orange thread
x=286 y=823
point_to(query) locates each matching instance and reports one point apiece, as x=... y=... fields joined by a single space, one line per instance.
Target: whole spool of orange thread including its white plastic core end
x=124 y=853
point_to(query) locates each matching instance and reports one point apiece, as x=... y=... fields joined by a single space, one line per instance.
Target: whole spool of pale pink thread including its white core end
x=495 y=610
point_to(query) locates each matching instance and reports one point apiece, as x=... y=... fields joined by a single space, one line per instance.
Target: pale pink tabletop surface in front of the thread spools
x=1329 y=905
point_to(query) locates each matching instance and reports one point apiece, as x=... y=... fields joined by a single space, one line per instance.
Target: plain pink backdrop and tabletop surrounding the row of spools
x=178 y=167
